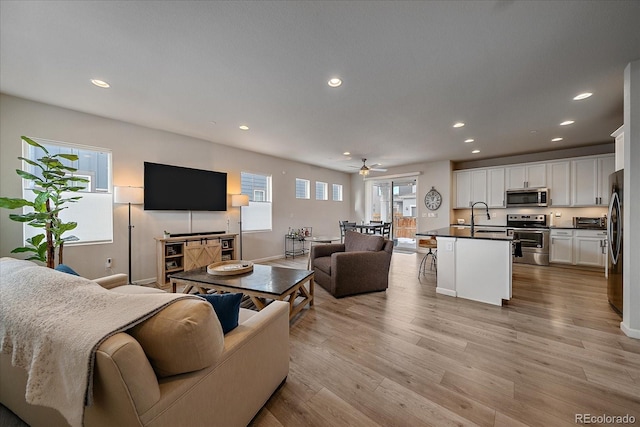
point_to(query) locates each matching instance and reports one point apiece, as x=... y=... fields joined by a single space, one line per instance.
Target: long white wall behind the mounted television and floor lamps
x=131 y=145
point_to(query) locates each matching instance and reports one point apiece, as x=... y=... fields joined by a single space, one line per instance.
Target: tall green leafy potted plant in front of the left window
x=53 y=181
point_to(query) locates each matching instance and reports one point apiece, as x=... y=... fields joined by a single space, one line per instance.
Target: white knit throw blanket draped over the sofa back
x=51 y=323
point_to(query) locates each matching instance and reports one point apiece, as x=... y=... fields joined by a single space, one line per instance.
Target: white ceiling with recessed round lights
x=508 y=69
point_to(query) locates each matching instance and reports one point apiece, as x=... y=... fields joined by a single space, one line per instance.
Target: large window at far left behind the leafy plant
x=94 y=212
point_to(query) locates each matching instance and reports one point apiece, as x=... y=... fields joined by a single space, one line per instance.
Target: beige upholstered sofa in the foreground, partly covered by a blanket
x=133 y=383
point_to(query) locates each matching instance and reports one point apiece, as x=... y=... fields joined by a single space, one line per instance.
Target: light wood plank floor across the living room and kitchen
x=410 y=357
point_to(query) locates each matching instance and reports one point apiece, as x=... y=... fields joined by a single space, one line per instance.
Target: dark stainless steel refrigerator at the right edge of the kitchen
x=614 y=237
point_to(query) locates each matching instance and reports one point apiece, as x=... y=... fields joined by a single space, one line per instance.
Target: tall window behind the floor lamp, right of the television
x=256 y=216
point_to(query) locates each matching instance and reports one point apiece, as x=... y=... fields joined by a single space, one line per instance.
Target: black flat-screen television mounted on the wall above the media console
x=175 y=188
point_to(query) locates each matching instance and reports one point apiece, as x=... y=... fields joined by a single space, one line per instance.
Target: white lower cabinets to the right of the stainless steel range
x=578 y=247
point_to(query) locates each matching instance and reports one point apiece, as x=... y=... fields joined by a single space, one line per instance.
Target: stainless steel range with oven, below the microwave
x=531 y=234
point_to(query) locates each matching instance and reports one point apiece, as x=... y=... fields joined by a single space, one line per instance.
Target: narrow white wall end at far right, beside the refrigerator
x=631 y=202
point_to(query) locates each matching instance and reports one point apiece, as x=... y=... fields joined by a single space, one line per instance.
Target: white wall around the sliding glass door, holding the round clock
x=437 y=174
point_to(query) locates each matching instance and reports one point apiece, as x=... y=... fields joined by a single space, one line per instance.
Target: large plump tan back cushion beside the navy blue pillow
x=183 y=337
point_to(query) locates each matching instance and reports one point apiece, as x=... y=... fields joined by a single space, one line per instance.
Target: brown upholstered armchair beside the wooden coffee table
x=360 y=264
